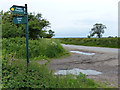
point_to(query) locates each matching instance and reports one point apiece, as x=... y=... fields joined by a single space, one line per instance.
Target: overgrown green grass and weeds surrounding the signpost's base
x=17 y=75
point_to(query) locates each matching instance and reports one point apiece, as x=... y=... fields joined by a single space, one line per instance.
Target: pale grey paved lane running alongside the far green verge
x=92 y=49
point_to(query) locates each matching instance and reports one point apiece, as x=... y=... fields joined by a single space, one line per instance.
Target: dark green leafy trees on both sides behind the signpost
x=37 y=26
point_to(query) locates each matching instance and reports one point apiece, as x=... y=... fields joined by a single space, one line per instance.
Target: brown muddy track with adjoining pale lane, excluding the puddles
x=105 y=60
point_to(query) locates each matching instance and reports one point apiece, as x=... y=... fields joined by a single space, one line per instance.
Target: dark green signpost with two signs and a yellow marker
x=22 y=10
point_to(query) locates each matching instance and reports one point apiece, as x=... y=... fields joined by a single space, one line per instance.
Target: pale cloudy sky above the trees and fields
x=73 y=18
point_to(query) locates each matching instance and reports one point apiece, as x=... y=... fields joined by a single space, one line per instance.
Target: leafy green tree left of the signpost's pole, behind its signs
x=8 y=28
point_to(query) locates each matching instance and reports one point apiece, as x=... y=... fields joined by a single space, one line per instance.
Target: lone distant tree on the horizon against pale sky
x=97 y=29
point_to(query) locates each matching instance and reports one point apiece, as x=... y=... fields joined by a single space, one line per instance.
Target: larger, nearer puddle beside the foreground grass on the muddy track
x=76 y=71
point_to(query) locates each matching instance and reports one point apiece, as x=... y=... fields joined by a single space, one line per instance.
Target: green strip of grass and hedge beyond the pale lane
x=98 y=42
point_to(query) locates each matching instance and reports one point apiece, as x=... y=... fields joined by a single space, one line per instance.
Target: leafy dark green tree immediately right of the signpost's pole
x=37 y=26
